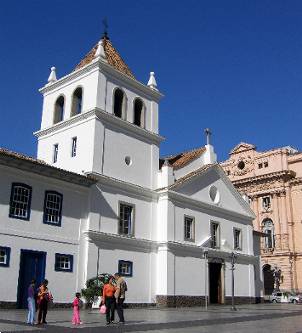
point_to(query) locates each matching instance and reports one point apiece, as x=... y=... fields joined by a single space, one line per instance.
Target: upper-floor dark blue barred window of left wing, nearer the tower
x=53 y=208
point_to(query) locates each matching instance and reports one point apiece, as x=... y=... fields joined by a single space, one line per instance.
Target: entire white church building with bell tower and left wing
x=99 y=198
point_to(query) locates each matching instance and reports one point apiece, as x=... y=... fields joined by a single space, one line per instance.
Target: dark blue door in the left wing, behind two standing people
x=32 y=266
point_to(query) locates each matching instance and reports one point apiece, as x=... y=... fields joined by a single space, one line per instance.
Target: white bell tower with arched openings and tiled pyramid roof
x=100 y=120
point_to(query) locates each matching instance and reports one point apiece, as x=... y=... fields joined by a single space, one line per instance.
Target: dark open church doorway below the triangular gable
x=215 y=283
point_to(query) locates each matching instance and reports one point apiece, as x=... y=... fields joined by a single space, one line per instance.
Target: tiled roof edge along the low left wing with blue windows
x=11 y=158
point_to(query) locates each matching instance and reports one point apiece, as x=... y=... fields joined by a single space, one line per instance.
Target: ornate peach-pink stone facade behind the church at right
x=272 y=182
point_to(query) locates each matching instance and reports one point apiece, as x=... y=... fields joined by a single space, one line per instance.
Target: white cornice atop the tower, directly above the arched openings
x=106 y=69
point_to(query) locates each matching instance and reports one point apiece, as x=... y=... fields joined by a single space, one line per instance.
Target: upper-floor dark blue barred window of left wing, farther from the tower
x=20 y=201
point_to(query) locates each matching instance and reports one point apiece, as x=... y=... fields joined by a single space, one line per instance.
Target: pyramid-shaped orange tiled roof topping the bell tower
x=112 y=56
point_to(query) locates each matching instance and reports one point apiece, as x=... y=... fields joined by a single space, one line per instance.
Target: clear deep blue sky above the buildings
x=234 y=66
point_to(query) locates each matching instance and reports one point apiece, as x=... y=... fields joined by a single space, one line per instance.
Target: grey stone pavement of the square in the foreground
x=262 y=318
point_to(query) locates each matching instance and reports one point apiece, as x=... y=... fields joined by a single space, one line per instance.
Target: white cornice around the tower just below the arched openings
x=106 y=117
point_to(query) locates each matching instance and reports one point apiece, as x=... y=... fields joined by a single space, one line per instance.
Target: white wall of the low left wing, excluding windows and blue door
x=37 y=236
